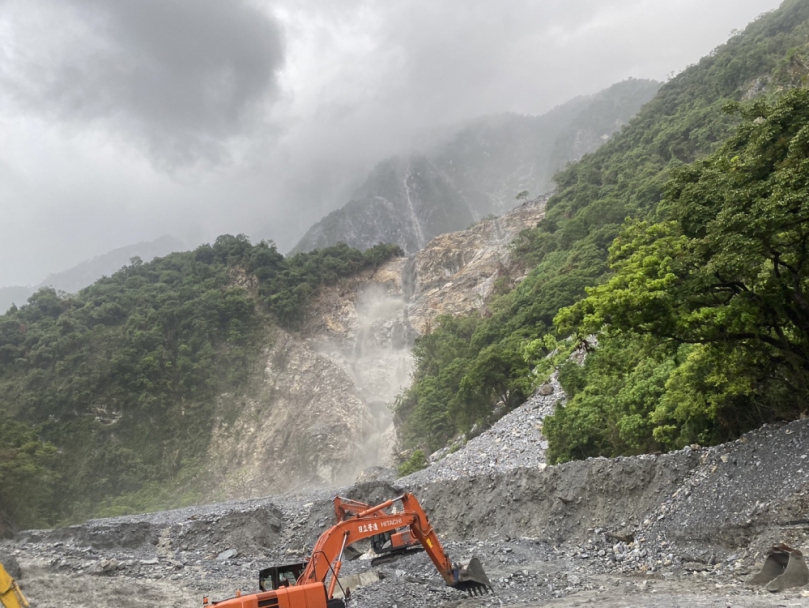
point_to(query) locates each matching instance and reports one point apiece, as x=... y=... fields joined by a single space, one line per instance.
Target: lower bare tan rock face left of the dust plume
x=305 y=425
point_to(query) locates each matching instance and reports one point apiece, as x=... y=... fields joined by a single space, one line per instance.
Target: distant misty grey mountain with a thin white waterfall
x=476 y=172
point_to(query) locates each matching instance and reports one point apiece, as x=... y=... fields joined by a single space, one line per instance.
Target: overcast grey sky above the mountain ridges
x=122 y=120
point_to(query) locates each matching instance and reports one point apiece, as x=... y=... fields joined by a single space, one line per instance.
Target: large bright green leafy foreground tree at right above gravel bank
x=723 y=280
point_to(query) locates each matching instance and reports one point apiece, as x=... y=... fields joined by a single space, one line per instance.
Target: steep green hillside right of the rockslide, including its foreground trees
x=654 y=386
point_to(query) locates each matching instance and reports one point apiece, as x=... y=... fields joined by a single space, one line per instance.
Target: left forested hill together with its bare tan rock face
x=113 y=396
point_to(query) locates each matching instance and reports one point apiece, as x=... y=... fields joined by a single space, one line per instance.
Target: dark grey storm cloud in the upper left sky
x=181 y=77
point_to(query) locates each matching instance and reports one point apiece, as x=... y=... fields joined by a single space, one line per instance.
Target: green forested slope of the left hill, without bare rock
x=108 y=396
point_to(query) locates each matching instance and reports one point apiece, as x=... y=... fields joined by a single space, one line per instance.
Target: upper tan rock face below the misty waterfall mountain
x=381 y=313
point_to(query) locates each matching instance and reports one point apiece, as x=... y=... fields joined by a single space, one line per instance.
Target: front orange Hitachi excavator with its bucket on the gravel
x=311 y=584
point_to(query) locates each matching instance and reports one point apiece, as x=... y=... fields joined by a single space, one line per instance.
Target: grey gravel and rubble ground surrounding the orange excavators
x=681 y=529
